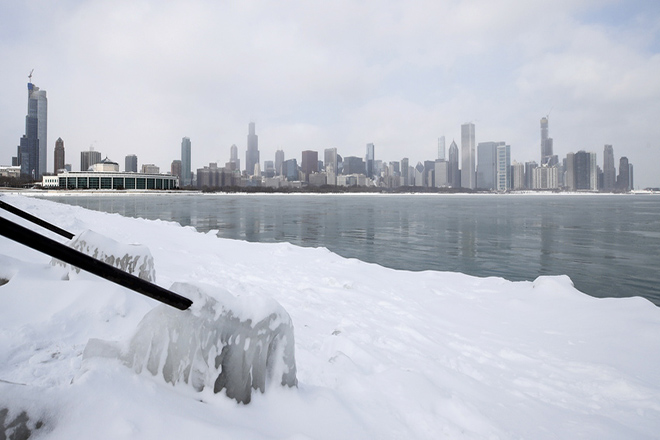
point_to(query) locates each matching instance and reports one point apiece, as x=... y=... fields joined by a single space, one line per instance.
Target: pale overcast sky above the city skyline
x=136 y=76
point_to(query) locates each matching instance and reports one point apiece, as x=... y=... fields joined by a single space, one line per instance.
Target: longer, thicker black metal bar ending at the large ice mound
x=69 y=255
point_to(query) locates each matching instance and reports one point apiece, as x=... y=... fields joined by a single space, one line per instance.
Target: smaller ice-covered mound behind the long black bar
x=135 y=259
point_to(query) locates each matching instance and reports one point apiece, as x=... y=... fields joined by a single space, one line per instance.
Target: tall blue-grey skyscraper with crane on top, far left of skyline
x=33 y=145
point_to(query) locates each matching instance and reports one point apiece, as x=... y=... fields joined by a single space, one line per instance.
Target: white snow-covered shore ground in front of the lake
x=380 y=353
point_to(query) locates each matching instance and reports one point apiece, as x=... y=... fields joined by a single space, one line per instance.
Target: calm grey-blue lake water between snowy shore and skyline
x=608 y=244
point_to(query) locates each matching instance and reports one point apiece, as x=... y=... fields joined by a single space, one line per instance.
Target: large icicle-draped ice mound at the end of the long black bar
x=236 y=344
